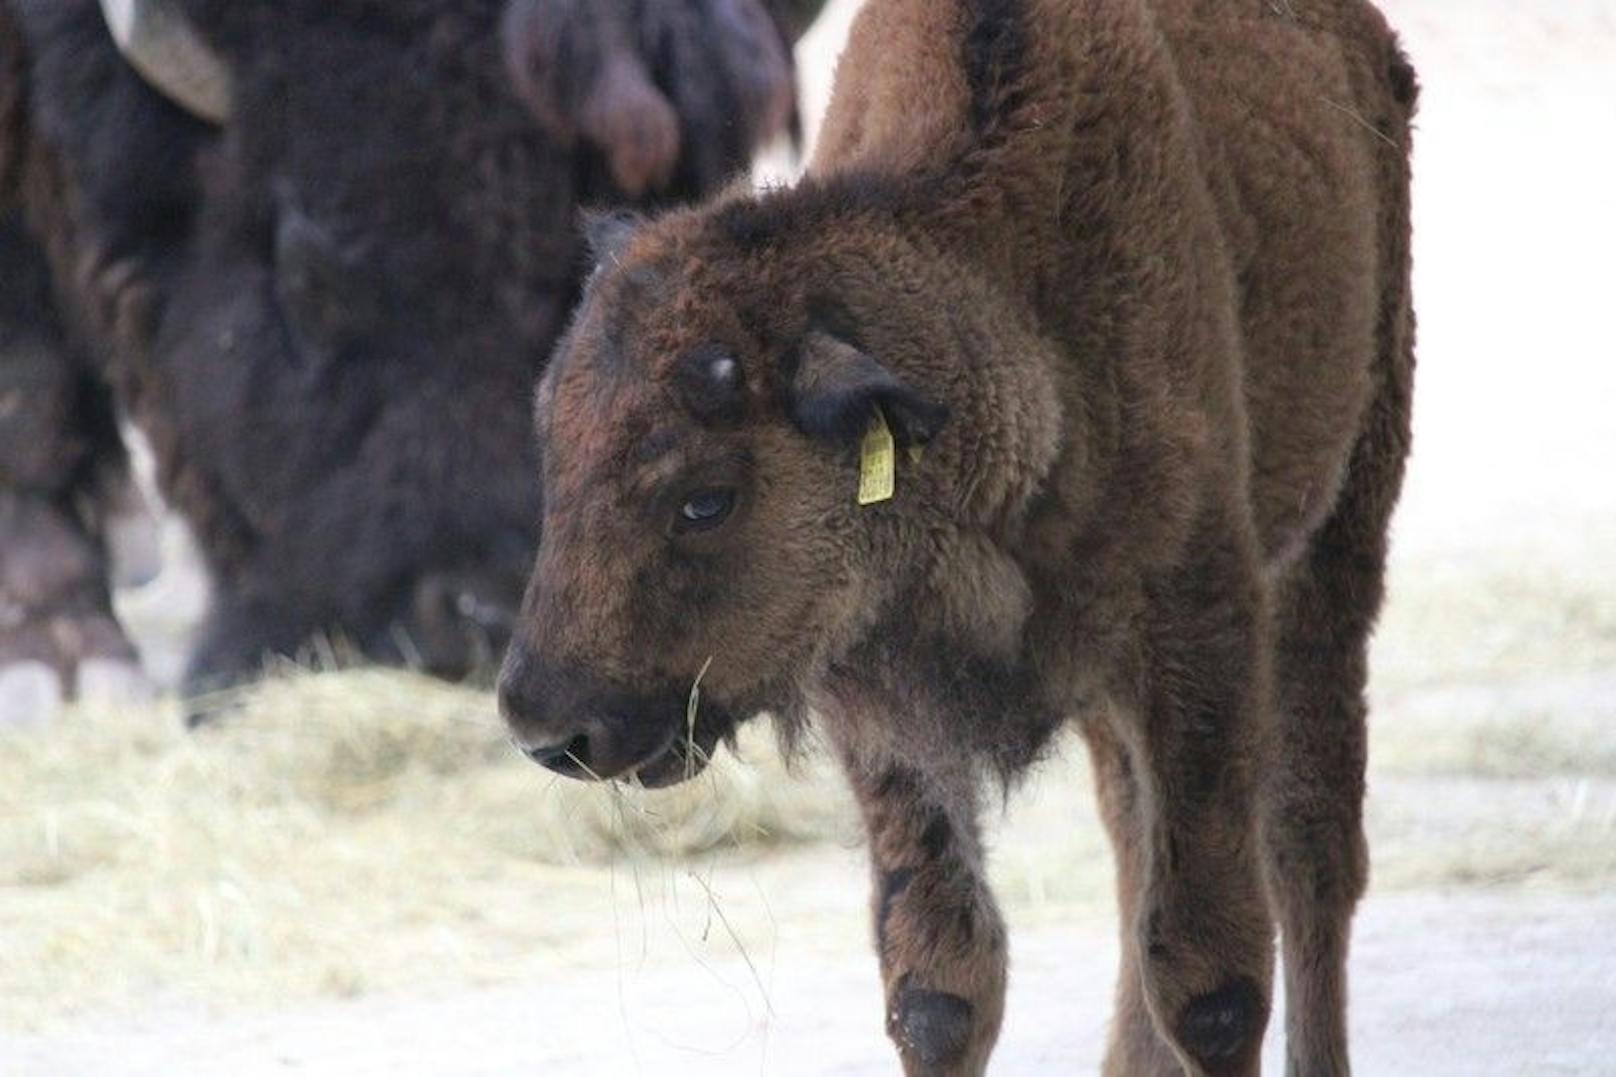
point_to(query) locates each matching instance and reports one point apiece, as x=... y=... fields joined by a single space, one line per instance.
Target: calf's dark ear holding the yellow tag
x=838 y=387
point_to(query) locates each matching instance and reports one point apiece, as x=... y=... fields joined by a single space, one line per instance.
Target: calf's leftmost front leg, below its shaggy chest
x=938 y=931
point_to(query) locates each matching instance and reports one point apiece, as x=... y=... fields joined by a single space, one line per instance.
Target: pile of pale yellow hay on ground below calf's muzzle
x=334 y=832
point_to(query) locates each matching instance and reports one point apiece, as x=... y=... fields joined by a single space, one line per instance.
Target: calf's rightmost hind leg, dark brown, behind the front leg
x=1318 y=858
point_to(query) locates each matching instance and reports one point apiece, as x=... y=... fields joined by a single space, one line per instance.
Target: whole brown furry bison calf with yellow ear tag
x=1137 y=277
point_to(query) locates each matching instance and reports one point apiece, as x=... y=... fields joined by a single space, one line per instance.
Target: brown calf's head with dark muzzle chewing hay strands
x=704 y=547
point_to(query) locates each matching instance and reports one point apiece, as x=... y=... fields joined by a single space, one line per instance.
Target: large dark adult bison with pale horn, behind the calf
x=318 y=251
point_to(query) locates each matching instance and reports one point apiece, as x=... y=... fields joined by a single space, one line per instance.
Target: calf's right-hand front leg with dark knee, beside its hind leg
x=1192 y=737
